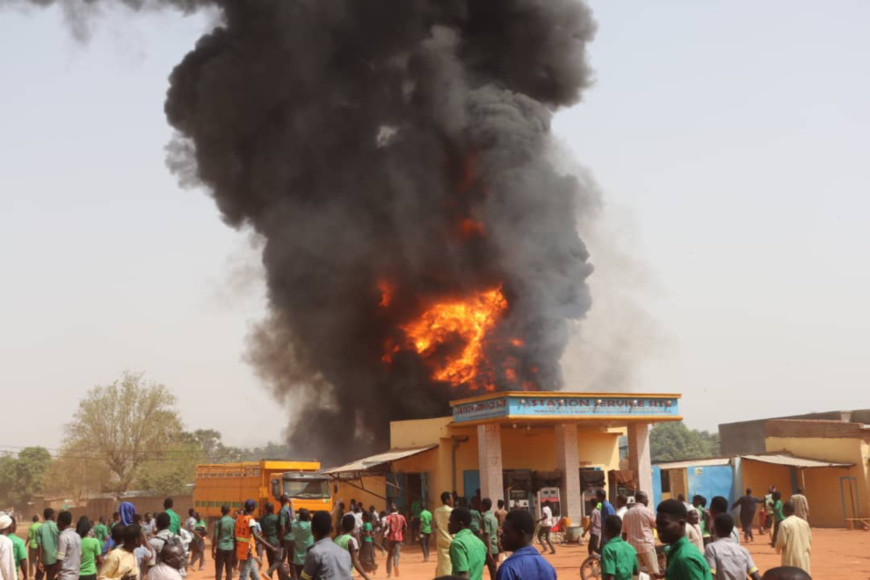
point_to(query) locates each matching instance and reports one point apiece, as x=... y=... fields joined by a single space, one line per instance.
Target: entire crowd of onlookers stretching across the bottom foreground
x=472 y=539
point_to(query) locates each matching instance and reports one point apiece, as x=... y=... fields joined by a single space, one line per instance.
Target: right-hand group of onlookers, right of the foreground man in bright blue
x=697 y=542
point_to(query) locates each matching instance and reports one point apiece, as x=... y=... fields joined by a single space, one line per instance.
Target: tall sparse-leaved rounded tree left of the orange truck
x=125 y=424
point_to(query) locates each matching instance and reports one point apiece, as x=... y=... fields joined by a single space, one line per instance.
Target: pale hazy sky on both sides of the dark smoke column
x=730 y=138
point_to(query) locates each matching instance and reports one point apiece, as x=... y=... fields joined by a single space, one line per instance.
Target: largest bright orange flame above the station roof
x=470 y=321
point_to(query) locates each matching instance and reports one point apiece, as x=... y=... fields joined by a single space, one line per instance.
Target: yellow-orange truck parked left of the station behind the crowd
x=263 y=481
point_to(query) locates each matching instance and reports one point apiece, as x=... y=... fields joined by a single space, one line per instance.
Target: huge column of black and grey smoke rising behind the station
x=390 y=147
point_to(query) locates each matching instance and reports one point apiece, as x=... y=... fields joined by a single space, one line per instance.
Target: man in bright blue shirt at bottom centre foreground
x=526 y=562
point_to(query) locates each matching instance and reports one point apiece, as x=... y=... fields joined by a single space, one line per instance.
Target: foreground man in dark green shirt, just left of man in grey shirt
x=685 y=561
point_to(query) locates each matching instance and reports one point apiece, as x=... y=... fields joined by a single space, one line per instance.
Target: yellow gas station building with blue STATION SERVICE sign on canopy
x=523 y=447
